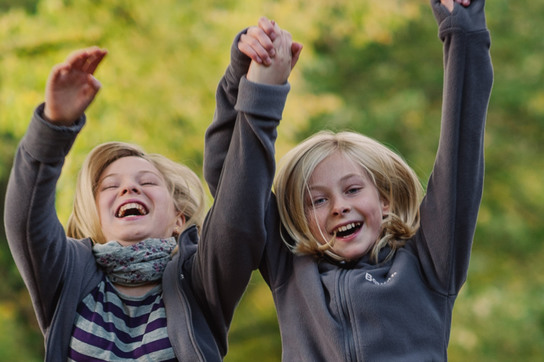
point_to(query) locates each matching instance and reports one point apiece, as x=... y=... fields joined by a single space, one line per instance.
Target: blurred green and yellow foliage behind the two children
x=370 y=66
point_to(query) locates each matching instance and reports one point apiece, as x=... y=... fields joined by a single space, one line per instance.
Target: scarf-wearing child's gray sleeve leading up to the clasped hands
x=233 y=236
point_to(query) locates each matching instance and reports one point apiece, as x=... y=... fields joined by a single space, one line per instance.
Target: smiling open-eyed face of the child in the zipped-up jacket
x=343 y=203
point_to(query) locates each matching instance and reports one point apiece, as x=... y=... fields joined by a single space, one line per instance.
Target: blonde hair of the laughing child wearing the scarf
x=184 y=186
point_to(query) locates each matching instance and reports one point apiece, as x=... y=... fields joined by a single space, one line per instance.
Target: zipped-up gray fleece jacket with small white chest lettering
x=399 y=310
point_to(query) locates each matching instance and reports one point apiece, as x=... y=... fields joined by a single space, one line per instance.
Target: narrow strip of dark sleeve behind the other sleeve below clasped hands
x=219 y=133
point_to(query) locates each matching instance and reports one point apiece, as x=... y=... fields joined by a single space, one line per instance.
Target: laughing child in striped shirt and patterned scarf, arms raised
x=139 y=274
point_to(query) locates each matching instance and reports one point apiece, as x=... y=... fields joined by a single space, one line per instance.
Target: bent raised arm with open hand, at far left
x=36 y=237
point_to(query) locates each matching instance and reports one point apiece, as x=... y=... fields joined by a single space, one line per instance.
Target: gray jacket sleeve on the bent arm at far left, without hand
x=36 y=237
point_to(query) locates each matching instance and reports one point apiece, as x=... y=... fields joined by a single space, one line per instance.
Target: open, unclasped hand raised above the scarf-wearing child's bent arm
x=71 y=86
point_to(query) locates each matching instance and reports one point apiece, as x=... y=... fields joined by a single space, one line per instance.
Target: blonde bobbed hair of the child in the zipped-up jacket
x=396 y=182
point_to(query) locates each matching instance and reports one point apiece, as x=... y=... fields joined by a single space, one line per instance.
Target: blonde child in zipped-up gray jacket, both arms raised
x=361 y=266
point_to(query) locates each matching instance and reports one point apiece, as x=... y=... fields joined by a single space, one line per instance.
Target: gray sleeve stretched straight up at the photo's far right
x=450 y=208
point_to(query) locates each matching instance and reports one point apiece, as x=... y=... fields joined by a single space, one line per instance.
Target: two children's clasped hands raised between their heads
x=272 y=51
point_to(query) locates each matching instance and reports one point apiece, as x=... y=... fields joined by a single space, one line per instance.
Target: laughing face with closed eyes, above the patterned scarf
x=134 y=202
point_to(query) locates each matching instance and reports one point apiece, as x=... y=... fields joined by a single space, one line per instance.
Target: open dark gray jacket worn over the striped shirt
x=206 y=278
